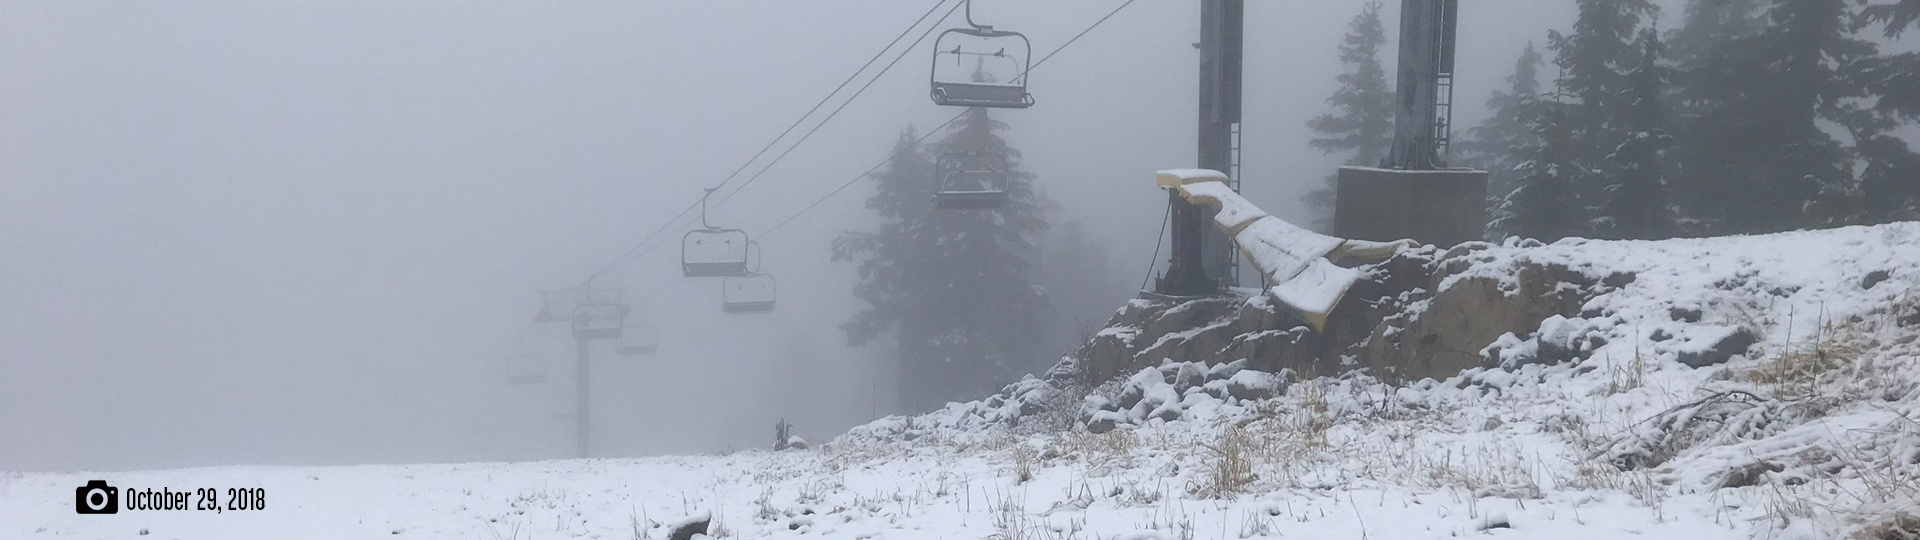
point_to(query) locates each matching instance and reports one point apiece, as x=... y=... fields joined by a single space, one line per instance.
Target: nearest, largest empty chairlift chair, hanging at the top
x=997 y=53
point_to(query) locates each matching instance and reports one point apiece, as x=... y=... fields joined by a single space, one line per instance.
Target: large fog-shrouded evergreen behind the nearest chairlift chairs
x=957 y=289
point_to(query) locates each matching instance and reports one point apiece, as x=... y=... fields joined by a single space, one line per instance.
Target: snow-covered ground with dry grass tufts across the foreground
x=1595 y=428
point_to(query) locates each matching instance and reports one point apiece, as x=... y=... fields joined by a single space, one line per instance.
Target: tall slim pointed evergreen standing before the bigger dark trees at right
x=1637 y=191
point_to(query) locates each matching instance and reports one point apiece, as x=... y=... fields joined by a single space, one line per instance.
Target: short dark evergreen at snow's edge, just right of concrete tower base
x=1545 y=205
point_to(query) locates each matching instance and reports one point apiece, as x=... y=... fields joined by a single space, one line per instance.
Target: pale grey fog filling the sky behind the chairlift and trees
x=314 y=232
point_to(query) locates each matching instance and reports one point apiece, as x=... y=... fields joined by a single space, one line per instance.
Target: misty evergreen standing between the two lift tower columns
x=1362 y=122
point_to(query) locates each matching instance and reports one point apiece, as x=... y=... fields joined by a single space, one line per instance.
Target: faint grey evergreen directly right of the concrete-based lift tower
x=1491 y=147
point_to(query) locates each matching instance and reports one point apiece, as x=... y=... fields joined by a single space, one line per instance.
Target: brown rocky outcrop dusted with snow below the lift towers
x=1414 y=316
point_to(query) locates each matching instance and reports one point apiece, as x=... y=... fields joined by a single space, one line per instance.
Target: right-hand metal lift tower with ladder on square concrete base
x=1414 y=193
